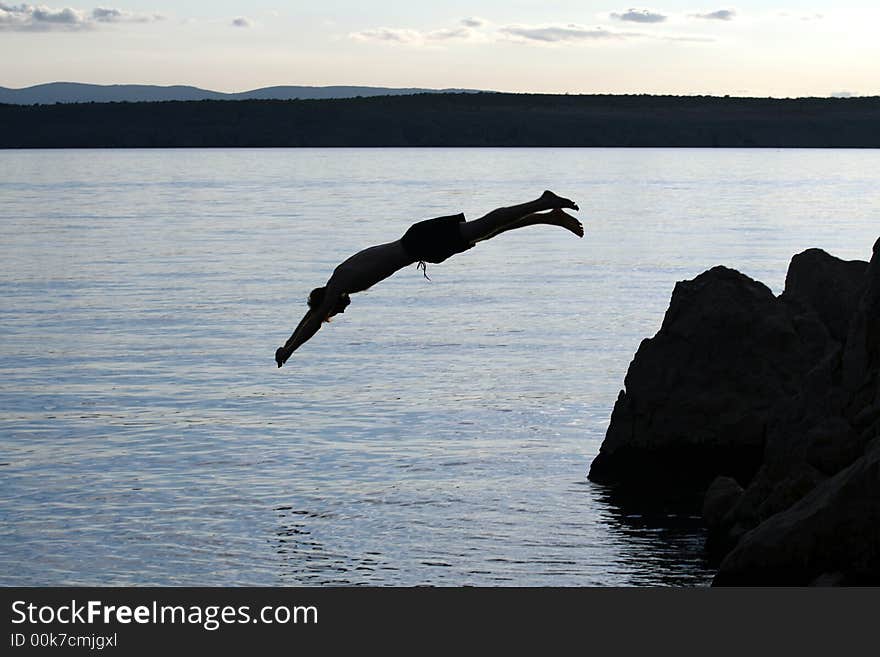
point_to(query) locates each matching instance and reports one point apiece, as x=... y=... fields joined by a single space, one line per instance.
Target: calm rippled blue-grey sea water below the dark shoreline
x=438 y=433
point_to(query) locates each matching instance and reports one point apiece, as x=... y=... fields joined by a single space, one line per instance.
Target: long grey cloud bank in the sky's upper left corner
x=30 y=18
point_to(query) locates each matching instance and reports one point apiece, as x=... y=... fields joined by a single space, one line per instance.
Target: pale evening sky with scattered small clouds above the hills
x=778 y=48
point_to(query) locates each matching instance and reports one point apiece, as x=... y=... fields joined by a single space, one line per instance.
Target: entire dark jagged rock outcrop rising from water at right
x=777 y=400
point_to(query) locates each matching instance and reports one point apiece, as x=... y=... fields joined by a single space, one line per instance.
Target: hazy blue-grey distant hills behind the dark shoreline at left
x=75 y=92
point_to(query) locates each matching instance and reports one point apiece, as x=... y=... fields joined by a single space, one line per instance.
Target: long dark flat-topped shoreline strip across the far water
x=451 y=120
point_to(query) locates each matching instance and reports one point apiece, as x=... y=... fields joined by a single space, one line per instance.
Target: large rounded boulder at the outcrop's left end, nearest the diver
x=699 y=394
